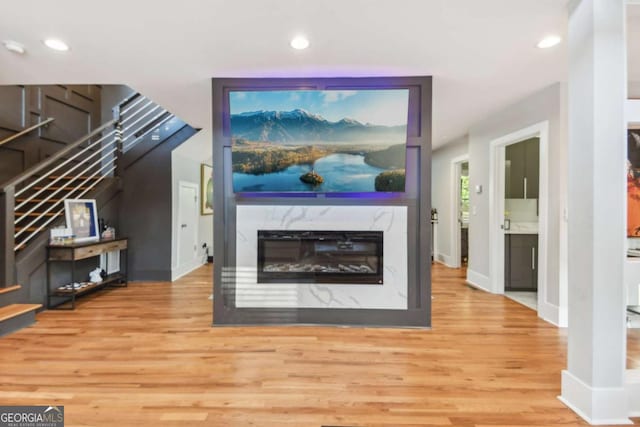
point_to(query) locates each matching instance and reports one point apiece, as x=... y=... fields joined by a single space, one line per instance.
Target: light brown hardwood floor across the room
x=147 y=355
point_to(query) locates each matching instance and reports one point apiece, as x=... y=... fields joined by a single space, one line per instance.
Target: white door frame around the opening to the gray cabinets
x=496 y=206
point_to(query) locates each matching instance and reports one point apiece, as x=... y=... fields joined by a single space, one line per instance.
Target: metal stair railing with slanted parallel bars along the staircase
x=30 y=202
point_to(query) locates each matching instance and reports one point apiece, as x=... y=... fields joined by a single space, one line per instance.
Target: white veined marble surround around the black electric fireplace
x=392 y=220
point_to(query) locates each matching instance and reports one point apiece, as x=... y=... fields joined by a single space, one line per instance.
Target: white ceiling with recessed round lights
x=482 y=54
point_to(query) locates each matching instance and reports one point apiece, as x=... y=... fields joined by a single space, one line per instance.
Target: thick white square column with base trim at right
x=593 y=385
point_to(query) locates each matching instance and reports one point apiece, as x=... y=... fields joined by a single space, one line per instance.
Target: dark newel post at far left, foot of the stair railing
x=7 y=233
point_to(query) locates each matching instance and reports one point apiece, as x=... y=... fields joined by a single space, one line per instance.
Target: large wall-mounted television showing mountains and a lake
x=319 y=141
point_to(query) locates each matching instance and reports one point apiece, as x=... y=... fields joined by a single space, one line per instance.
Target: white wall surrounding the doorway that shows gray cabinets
x=547 y=104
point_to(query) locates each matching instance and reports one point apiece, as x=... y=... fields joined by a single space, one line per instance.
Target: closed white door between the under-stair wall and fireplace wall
x=188 y=211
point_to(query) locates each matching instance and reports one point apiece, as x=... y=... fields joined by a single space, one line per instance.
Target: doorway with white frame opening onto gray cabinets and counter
x=518 y=214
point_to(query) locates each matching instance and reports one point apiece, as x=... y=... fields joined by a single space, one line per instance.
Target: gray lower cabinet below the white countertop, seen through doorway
x=521 y=262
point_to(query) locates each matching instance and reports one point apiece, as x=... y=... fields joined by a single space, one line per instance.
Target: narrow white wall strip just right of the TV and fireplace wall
x=442 y=196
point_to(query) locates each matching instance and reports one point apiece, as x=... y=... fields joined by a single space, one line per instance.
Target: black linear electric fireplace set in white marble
x=339 y=257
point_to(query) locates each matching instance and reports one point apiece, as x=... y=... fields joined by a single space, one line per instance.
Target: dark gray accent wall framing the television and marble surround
x=417 y=199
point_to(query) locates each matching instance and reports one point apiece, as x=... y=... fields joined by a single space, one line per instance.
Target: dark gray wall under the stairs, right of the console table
x=145 y=210
